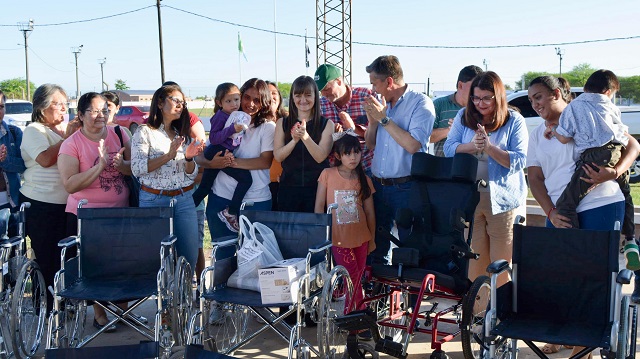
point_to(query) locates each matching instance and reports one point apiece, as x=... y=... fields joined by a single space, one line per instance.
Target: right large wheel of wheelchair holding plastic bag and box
x=332 y=341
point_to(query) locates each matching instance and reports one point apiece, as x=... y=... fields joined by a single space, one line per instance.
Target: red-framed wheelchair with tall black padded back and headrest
x=429 y=267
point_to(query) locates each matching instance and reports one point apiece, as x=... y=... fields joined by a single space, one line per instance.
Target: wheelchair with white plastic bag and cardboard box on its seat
x=322 y=290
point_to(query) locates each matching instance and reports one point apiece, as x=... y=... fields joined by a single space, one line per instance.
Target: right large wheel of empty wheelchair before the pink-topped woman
x=182 y=298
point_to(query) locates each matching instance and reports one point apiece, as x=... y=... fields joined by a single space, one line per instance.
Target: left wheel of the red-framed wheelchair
x=390 y=306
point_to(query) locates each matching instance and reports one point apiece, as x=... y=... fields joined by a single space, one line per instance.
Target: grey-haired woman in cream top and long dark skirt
x=46 y=222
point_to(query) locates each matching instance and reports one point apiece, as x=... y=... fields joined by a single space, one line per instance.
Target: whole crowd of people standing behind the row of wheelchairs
x=335 y=144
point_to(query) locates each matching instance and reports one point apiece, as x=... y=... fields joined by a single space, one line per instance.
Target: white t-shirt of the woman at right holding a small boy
x=558 y=165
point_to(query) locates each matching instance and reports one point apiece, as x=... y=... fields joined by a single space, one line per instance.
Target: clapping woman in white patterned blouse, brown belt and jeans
x=162 y=160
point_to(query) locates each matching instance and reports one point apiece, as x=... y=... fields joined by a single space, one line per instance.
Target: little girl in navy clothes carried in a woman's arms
x=225 y=137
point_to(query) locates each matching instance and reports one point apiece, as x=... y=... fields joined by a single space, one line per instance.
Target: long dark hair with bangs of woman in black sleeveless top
x=304 y=85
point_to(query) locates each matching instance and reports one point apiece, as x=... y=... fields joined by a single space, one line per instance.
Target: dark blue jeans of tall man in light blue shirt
x=387 y=200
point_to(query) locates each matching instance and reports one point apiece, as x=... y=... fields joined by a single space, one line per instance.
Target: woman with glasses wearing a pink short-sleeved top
x=92 y=164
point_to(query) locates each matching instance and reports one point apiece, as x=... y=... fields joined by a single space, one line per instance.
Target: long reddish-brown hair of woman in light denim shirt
x=488 y=81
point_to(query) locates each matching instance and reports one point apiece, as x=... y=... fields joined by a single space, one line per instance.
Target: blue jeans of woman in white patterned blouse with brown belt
x=185 y=222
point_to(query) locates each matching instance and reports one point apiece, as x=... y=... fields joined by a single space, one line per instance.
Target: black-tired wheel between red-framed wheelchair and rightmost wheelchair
x=474 y=309
